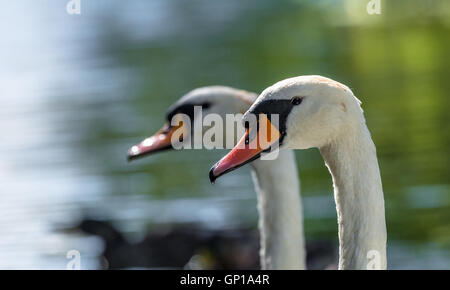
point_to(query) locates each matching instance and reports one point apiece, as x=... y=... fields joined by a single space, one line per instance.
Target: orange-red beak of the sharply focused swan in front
x=248 y=148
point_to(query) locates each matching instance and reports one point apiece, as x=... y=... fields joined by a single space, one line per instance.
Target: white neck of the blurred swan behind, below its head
x=280 y=212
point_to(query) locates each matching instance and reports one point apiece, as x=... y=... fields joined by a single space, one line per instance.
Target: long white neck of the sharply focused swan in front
x=358 y=193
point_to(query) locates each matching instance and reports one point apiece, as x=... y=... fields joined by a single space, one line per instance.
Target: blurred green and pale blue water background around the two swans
x=76 y=91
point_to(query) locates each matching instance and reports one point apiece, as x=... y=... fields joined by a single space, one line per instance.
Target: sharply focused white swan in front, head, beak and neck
x=315 y=111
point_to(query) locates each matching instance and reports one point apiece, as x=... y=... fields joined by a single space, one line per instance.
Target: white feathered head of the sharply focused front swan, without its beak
x=313 y=110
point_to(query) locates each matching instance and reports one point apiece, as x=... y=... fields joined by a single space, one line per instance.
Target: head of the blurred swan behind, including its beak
x=219 y=100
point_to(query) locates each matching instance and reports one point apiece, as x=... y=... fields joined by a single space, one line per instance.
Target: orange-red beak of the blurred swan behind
x=156 y=143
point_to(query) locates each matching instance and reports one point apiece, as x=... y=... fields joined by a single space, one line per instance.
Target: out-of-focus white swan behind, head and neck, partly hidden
x=276 y=182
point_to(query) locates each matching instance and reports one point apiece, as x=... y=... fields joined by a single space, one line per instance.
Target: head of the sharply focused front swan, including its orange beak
x=312 y=112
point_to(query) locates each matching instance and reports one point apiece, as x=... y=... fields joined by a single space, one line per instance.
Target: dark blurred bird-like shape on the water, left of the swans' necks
x=195 y=246
